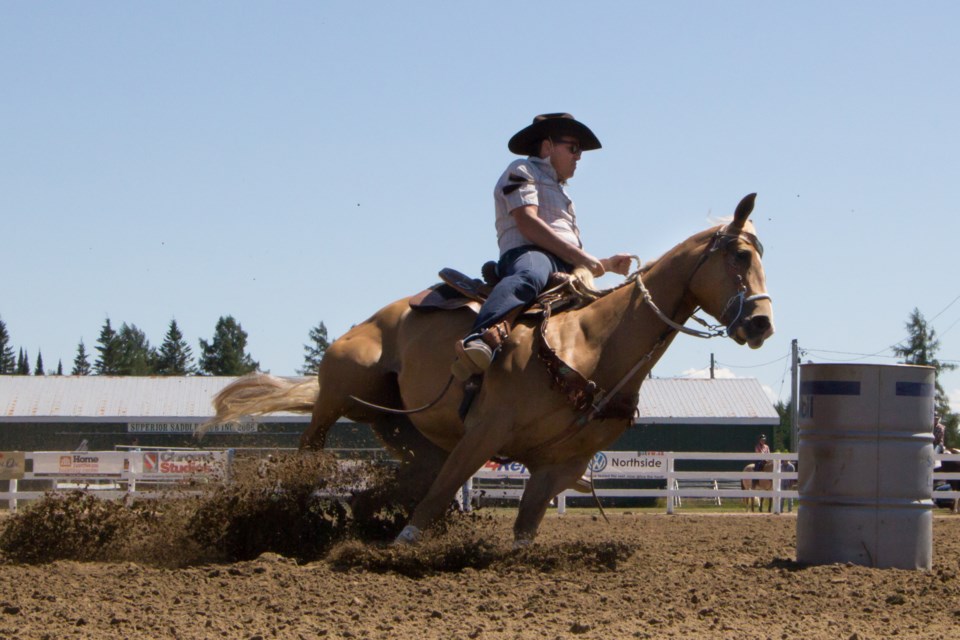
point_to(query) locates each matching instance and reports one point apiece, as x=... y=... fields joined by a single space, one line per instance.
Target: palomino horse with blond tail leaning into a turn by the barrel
x=402 y=357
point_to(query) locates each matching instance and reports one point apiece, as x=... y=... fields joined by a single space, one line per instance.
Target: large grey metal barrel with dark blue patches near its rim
x=865 y=475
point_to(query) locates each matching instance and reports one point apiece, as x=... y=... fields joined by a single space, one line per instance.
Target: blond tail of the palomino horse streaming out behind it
x=260 y=393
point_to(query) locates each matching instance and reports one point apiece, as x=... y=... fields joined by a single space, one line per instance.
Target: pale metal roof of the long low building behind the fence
x=188 y=399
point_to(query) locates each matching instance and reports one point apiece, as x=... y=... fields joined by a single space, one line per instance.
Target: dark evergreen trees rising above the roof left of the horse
x=127 y=352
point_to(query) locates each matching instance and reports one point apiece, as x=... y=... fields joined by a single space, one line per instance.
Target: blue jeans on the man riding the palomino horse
x=524 y=272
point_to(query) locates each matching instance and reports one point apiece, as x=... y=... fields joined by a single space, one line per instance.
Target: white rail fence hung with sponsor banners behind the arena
x=142 y=474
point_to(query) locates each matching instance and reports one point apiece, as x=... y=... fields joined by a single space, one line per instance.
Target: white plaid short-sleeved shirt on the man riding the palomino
x=533 y=181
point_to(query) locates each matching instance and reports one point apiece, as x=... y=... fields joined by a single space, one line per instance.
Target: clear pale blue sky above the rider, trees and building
x=295 y=162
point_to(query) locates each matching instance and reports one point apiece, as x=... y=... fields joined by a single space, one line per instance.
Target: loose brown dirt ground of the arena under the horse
x=641 y=576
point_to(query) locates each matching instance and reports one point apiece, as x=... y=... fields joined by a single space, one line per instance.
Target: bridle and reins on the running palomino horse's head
x=721 y=240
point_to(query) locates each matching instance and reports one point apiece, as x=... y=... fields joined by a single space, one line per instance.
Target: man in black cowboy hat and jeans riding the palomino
x=537 y=232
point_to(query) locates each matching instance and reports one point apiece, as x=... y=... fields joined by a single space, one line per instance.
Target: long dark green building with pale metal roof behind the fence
x=47 y=412
